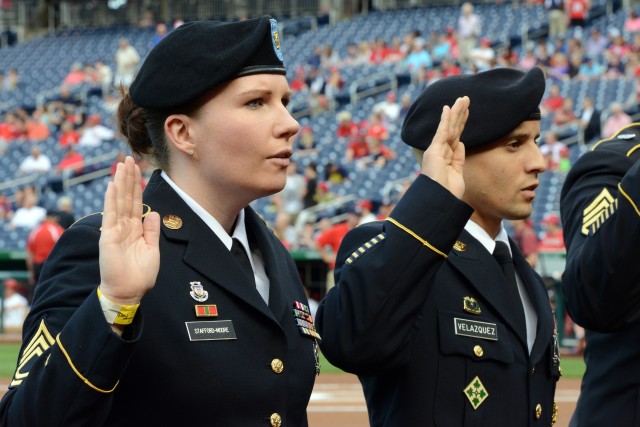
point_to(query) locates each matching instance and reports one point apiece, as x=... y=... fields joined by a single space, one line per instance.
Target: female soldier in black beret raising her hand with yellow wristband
x=220 y=344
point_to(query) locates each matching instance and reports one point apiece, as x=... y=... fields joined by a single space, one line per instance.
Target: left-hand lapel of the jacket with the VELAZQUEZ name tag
x=485 y=275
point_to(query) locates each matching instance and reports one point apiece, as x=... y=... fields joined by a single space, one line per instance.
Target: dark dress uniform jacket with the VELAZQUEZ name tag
x=391 y=320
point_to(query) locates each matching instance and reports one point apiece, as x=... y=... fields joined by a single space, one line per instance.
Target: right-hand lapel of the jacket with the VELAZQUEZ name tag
x=540 y=302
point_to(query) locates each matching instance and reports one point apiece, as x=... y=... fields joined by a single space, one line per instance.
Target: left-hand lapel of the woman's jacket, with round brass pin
x=203 y=250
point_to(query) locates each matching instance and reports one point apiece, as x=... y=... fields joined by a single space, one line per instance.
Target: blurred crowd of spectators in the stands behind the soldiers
x=571 y=51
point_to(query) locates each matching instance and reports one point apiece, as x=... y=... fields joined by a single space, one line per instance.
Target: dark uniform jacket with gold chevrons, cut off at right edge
x=601 y=283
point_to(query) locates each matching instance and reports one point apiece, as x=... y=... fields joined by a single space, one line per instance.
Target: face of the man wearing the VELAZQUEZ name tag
x=501 y=178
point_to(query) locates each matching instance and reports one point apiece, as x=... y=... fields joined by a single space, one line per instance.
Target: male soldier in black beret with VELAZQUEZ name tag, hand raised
x=422 y=312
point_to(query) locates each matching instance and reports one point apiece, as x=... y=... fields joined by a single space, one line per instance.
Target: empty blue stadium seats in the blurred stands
x=44 y=61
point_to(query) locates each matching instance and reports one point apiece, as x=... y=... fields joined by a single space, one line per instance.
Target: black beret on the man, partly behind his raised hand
x=501 y=99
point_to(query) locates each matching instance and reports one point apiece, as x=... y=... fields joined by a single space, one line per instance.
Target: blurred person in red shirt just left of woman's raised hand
x=39 y=244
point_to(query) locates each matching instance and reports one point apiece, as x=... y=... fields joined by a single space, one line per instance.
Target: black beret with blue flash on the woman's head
x=198 y=56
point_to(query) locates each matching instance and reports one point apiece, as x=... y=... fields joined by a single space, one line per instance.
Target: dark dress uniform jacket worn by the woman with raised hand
x=162 y=377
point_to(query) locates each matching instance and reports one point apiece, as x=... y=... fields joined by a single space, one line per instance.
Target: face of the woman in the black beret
x=244 y=137
